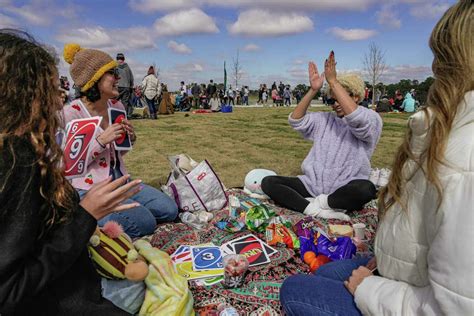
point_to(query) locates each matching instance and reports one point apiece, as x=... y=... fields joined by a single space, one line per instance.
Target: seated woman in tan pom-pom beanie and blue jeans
x=93 y=71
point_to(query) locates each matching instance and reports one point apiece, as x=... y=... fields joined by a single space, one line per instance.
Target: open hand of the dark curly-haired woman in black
x=105 y=197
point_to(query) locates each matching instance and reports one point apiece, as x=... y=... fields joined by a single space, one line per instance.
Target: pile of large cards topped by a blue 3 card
x=201 y=262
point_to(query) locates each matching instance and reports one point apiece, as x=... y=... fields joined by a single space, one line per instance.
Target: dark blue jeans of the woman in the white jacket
x=323 y=293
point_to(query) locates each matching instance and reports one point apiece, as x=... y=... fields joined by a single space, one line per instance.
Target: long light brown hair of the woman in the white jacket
x=451 y=44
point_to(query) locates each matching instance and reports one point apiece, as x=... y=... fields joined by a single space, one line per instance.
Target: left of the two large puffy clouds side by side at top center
x=185 y=22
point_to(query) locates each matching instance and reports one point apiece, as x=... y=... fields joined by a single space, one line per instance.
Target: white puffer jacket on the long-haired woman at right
x=425 y=255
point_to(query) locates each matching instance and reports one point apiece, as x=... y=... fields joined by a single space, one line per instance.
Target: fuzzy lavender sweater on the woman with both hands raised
x=341 y=150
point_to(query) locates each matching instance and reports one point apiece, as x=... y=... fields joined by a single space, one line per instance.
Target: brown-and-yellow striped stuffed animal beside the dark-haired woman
x=114 y=255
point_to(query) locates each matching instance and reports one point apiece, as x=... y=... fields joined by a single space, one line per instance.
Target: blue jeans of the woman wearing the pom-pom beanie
x=155 y=207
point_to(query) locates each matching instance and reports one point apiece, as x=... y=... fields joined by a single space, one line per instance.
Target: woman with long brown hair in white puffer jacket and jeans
x=424 y=256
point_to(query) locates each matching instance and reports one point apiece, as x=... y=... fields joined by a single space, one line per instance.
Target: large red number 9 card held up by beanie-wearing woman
x=77 y=144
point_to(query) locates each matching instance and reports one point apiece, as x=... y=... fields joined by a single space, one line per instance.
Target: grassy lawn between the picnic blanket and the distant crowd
x=234 y=143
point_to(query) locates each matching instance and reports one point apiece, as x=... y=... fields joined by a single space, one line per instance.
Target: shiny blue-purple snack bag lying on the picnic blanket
x=338 y=249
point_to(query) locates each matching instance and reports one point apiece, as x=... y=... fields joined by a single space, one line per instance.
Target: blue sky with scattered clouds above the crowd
x=190 y=39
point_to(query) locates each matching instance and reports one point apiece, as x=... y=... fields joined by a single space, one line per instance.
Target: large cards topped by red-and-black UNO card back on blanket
x=254 y=249
